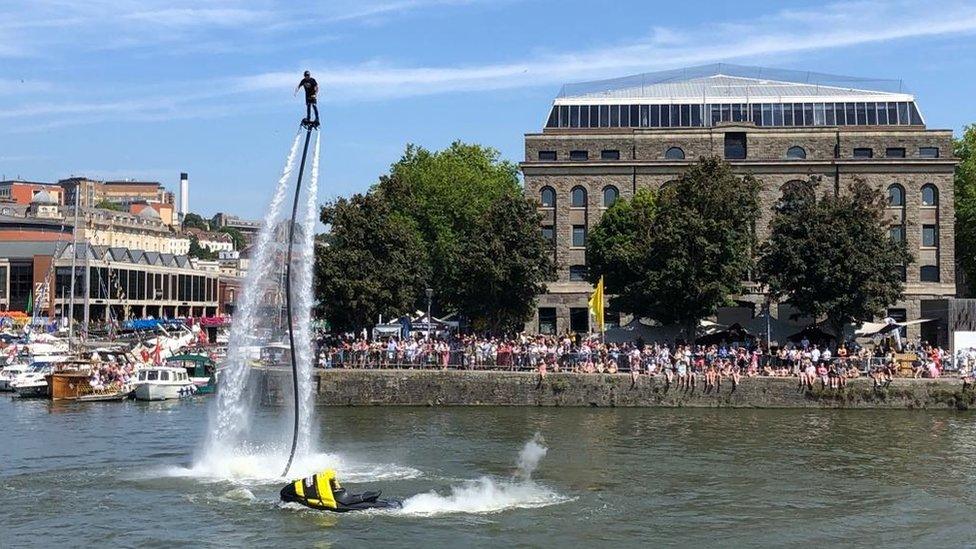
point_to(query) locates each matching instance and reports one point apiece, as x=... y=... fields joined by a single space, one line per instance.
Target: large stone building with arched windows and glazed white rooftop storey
x=604 y=140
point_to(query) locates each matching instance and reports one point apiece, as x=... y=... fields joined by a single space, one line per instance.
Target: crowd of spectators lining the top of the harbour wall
x=684 y=365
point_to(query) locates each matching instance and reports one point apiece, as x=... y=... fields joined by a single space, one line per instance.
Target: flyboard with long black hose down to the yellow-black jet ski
x=322 y=490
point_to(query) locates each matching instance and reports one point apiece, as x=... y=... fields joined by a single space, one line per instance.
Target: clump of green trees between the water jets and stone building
x=464 y=229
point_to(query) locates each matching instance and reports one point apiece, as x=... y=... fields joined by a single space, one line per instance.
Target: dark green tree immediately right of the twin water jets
x=375 y=264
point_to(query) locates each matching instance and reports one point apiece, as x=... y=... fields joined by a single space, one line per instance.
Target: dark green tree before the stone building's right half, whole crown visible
x=831 y=255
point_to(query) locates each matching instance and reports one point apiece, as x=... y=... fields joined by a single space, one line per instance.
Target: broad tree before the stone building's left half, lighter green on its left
x=691 y=256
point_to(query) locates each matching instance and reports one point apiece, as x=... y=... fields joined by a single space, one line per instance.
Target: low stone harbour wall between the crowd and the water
x=479 y=388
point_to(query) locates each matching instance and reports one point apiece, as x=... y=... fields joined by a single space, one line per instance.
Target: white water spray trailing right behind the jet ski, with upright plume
x=492 y=495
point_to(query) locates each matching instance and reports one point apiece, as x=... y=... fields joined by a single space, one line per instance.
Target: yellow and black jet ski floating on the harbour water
x=322 y=491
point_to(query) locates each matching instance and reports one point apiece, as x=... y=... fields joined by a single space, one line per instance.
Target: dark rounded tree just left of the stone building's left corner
x=505 y=264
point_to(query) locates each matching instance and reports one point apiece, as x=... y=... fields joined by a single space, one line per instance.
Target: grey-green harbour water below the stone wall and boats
x=109 y=474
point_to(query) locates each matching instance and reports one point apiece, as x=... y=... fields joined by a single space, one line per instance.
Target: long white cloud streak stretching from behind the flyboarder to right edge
x=785 y=32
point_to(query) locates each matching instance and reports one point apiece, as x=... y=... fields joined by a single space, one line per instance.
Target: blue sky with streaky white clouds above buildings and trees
x=150 y=88
